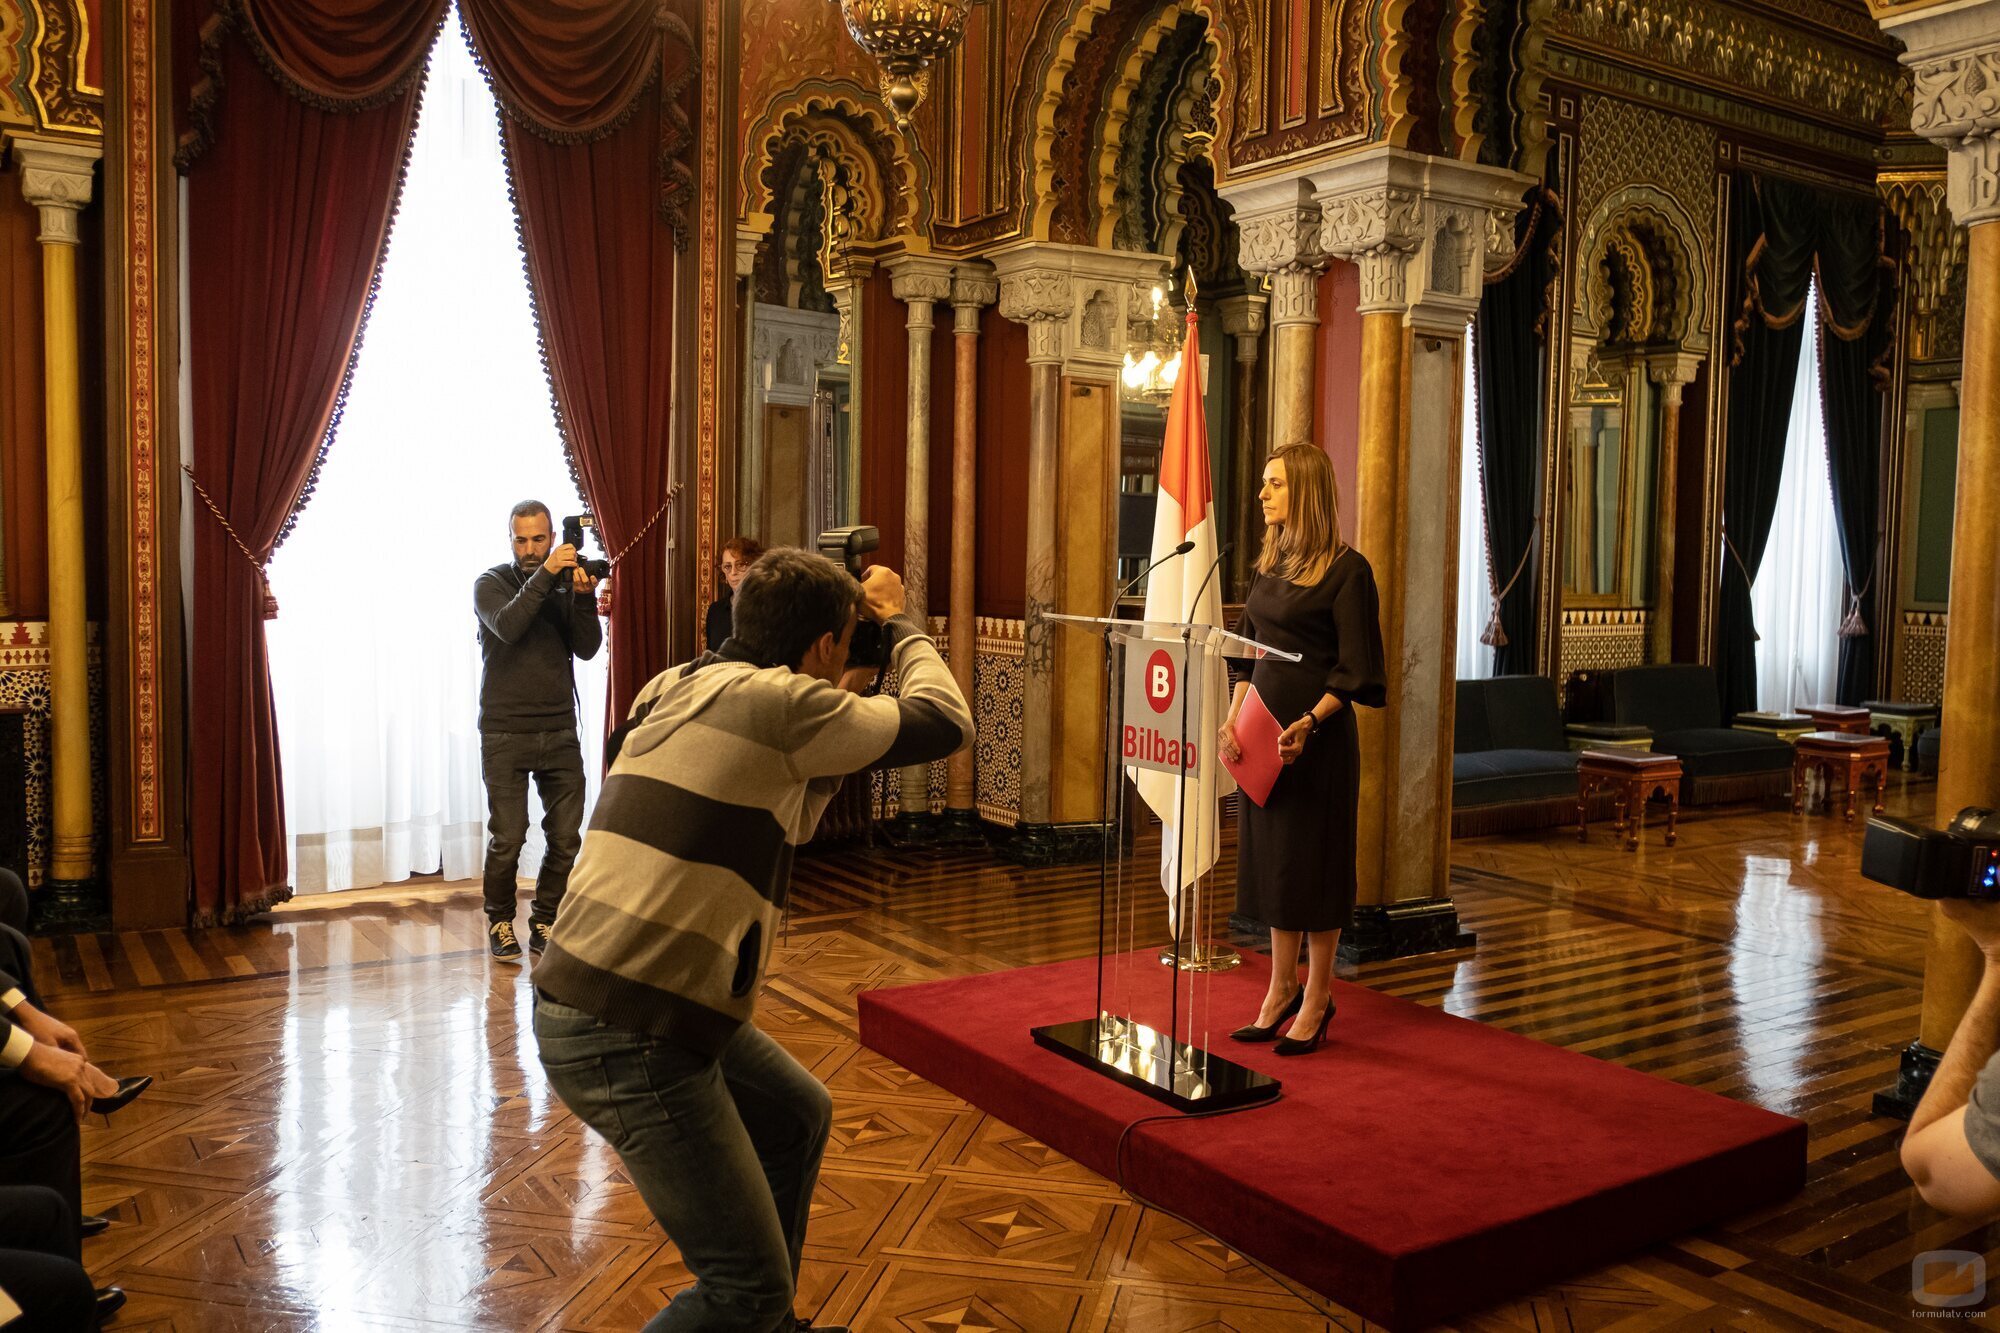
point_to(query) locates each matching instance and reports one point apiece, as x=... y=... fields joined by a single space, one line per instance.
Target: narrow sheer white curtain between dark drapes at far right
x=1797 y=591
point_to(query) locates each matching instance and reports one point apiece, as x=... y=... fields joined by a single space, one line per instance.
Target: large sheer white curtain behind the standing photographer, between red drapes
x=449 y=423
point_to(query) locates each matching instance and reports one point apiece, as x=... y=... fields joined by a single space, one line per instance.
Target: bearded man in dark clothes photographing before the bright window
x=537 y=615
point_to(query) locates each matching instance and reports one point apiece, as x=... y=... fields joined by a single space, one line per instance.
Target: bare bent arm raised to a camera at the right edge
x=1953 y=1150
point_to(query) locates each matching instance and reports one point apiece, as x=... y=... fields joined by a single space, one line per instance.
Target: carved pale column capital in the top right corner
x=1955 y=63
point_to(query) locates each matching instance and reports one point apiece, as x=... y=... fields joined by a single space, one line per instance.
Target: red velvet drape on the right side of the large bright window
x=597 y=123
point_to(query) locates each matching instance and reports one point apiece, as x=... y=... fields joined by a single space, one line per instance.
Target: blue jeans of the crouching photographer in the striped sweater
x=725 y=1152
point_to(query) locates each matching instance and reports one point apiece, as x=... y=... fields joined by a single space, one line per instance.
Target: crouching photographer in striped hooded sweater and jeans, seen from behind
x=651 y=976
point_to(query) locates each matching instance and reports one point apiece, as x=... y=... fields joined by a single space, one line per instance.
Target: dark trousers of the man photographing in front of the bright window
x=555 y=760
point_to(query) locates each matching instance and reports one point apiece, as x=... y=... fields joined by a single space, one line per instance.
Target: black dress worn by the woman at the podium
x=1295 y=866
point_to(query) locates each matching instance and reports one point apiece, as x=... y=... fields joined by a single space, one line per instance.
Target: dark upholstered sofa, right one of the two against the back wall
x=1683 y=710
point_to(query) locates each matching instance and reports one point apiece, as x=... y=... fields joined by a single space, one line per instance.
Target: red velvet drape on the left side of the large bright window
x=289 y=209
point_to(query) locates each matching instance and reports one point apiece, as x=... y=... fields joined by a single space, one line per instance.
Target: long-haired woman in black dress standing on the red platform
x=1295 y=866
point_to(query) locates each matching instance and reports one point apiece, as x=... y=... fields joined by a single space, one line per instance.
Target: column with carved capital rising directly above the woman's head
x=1279 y=237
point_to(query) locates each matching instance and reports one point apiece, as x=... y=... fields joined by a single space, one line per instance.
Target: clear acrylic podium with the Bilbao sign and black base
x=1165 y=700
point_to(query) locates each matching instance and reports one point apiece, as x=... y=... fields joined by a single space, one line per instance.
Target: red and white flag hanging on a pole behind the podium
x=1183 y=589
